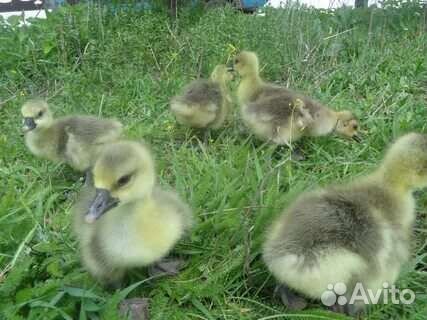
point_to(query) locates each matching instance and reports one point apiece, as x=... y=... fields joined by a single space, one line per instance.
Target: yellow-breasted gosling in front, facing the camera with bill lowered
x=122 y=219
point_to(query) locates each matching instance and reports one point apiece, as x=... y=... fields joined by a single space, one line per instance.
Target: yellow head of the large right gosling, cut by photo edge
x=405 y=162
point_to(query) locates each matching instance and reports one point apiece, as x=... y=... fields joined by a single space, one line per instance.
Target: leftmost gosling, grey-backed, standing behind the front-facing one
x=75 y=140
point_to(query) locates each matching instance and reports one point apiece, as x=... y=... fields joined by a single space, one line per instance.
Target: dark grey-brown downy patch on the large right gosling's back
x=335 y=218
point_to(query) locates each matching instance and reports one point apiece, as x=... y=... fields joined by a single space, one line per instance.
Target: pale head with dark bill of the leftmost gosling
x=36 y=115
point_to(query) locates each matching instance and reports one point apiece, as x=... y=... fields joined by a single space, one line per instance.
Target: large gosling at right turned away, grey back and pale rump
x=355 y=233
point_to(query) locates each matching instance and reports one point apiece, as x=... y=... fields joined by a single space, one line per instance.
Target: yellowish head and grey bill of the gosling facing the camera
x=123 y=172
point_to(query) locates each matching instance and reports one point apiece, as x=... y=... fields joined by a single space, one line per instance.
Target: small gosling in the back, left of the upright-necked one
x=204 y=103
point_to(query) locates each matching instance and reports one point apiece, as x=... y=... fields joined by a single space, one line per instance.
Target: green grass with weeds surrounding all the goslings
x=87 y=60
